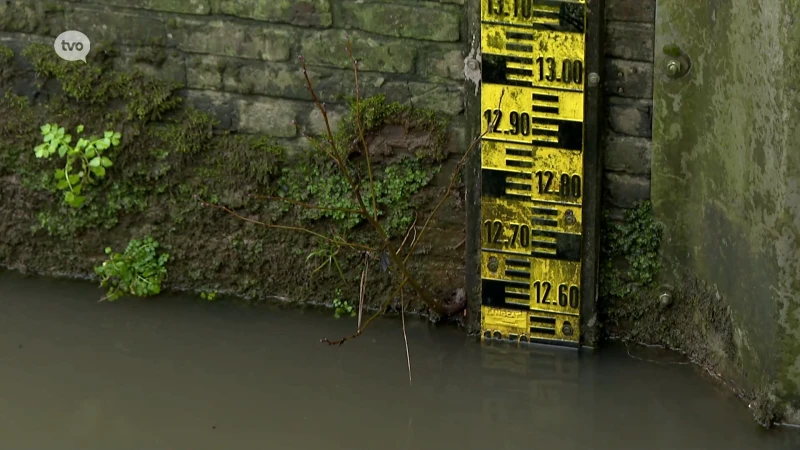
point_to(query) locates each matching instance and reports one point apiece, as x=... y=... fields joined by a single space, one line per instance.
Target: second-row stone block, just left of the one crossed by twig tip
x=227 y=38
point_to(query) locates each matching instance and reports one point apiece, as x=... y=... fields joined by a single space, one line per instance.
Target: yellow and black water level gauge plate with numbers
x=532 y=106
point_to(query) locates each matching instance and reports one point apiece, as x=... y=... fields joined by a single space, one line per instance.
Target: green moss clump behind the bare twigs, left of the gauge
x=318 y=181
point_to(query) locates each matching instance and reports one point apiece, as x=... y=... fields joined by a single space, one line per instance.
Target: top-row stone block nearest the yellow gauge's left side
x=409 y=21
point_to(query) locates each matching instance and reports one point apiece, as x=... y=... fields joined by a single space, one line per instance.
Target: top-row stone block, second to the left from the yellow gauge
x=296 y=12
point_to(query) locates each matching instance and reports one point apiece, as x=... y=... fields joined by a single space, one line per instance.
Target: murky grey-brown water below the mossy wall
x=172 y=373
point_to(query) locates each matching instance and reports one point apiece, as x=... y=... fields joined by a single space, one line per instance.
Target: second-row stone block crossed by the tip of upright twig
x=328 y=48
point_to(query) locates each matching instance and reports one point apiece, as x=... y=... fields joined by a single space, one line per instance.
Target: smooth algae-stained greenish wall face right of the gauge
x=726 y=174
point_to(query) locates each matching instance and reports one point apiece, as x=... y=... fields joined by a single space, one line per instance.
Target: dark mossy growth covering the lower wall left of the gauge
x=173 y=156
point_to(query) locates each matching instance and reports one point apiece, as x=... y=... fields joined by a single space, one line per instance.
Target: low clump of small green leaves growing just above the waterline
x=138 y=271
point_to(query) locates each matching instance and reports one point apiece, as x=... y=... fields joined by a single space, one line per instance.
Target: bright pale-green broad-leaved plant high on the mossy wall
x=87 y=153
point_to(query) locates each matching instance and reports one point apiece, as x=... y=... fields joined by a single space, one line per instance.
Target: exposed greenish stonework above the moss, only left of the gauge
x=240 y=58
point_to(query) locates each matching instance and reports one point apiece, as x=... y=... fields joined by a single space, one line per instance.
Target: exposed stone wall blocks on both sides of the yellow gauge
x=238 y=59
